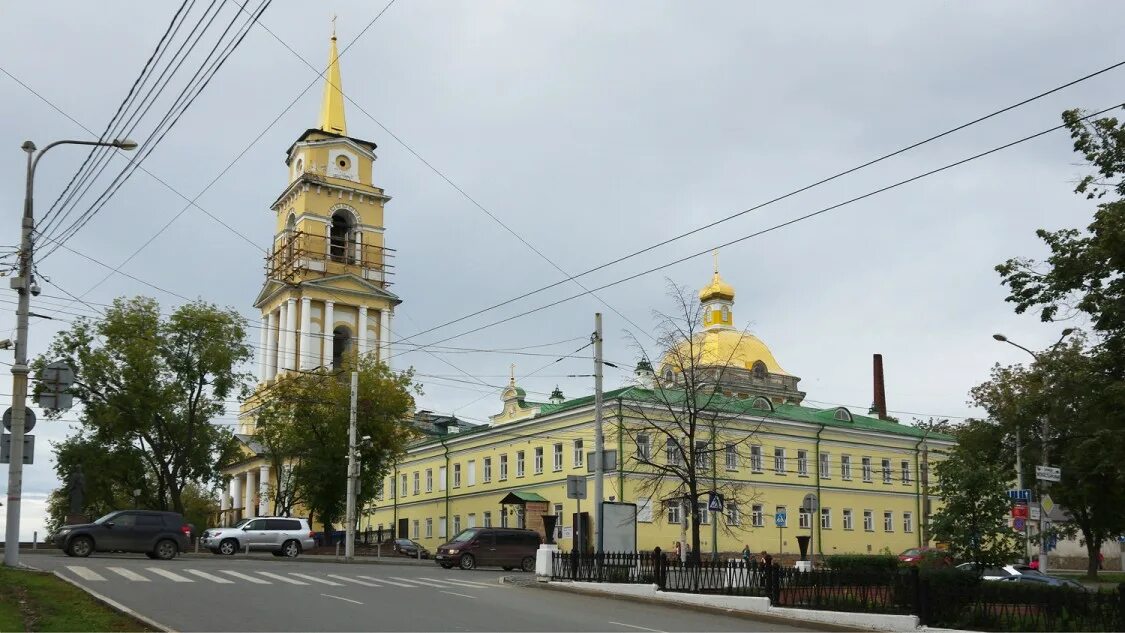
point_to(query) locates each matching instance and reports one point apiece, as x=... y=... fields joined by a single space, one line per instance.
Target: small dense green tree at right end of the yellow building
x=974 y=518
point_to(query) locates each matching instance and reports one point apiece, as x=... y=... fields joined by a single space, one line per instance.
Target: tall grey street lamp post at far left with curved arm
x=25 y=286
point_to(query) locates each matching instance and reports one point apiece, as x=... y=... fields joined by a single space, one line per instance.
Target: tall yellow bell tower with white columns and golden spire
x=326 y=294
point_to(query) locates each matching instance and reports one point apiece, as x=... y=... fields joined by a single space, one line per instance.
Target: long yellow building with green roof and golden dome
x=770 y=454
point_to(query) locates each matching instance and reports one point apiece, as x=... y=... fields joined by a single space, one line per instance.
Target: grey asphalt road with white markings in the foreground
x=267 y=594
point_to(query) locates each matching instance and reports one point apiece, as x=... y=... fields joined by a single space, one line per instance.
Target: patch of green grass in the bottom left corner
x=33 y=601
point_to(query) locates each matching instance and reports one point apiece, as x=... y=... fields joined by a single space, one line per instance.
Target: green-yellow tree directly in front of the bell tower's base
x=303 y=426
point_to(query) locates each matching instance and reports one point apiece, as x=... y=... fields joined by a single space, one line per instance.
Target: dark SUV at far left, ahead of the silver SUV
x=157 y=535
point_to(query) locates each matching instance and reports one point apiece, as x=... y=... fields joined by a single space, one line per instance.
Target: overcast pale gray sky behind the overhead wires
x=593 y=130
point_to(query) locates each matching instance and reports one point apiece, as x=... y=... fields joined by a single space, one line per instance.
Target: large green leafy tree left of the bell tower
x=151 y=388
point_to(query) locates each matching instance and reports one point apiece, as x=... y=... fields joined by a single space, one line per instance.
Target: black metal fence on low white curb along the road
x=947 y=599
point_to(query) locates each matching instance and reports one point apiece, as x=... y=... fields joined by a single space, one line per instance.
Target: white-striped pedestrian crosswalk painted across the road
x=262 y=577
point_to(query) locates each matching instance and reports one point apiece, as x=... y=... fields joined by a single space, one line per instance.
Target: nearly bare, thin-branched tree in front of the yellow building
x=686 y=413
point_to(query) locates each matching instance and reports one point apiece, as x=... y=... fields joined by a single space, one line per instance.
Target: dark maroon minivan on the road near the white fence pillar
x=508 y=548
